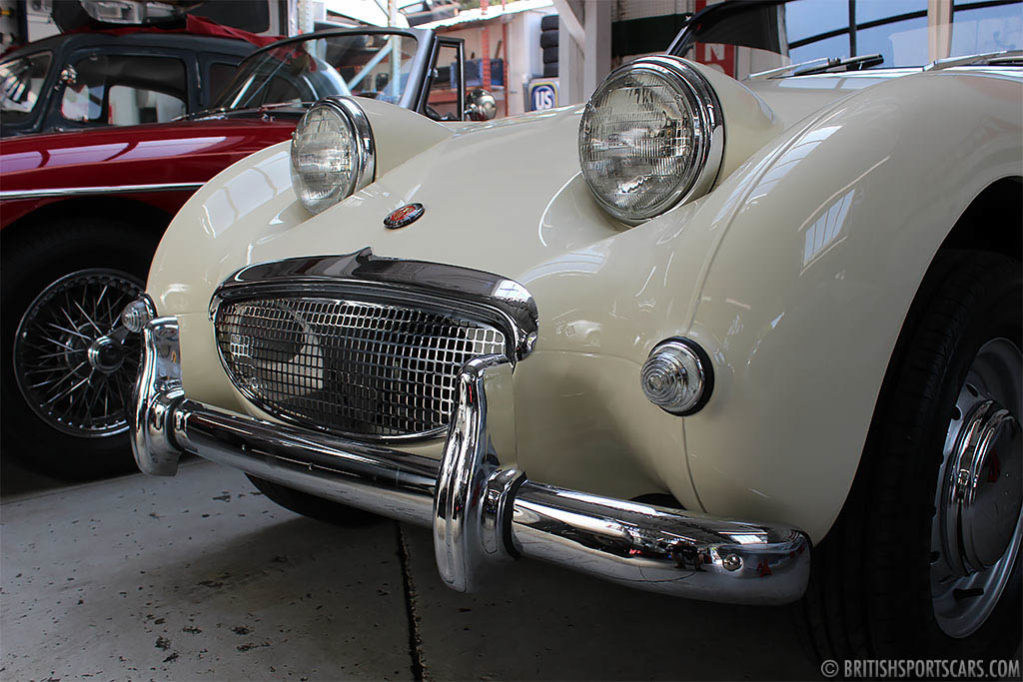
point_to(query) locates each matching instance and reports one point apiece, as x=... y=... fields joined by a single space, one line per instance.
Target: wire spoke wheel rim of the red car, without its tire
x=71 y=375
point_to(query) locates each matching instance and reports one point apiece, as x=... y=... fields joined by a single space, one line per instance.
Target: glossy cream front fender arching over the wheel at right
x=825 y=248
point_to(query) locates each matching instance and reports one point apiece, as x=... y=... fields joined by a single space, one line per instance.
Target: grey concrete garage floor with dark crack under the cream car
x=201 y=577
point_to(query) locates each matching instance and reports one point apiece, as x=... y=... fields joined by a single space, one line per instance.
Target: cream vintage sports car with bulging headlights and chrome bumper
x=747 y=340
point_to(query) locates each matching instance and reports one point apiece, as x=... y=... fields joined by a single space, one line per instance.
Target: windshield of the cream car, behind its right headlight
x=744 y=38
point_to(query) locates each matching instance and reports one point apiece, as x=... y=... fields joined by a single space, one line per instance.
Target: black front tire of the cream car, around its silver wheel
x=870 y=595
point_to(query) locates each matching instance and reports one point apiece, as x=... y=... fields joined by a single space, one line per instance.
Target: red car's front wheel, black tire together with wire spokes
x=85 y=269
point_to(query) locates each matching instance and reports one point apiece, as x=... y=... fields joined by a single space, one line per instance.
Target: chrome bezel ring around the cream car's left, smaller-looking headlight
x=364 y=152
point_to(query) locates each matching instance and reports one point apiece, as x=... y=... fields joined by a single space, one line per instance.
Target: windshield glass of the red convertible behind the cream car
x=375 y=66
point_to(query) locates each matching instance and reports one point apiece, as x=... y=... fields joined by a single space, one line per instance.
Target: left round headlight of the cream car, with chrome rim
x=333 y=154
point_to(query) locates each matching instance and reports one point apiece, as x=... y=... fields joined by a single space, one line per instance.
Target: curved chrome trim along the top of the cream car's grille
x=451 y=289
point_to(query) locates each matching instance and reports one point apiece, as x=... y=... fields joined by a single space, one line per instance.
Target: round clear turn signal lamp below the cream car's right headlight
x=678 y=377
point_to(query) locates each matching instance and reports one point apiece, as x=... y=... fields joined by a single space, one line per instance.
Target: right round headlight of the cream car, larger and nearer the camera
x=651 y=137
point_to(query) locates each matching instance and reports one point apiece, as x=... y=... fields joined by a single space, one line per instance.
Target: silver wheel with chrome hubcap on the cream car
x=977 y=531
